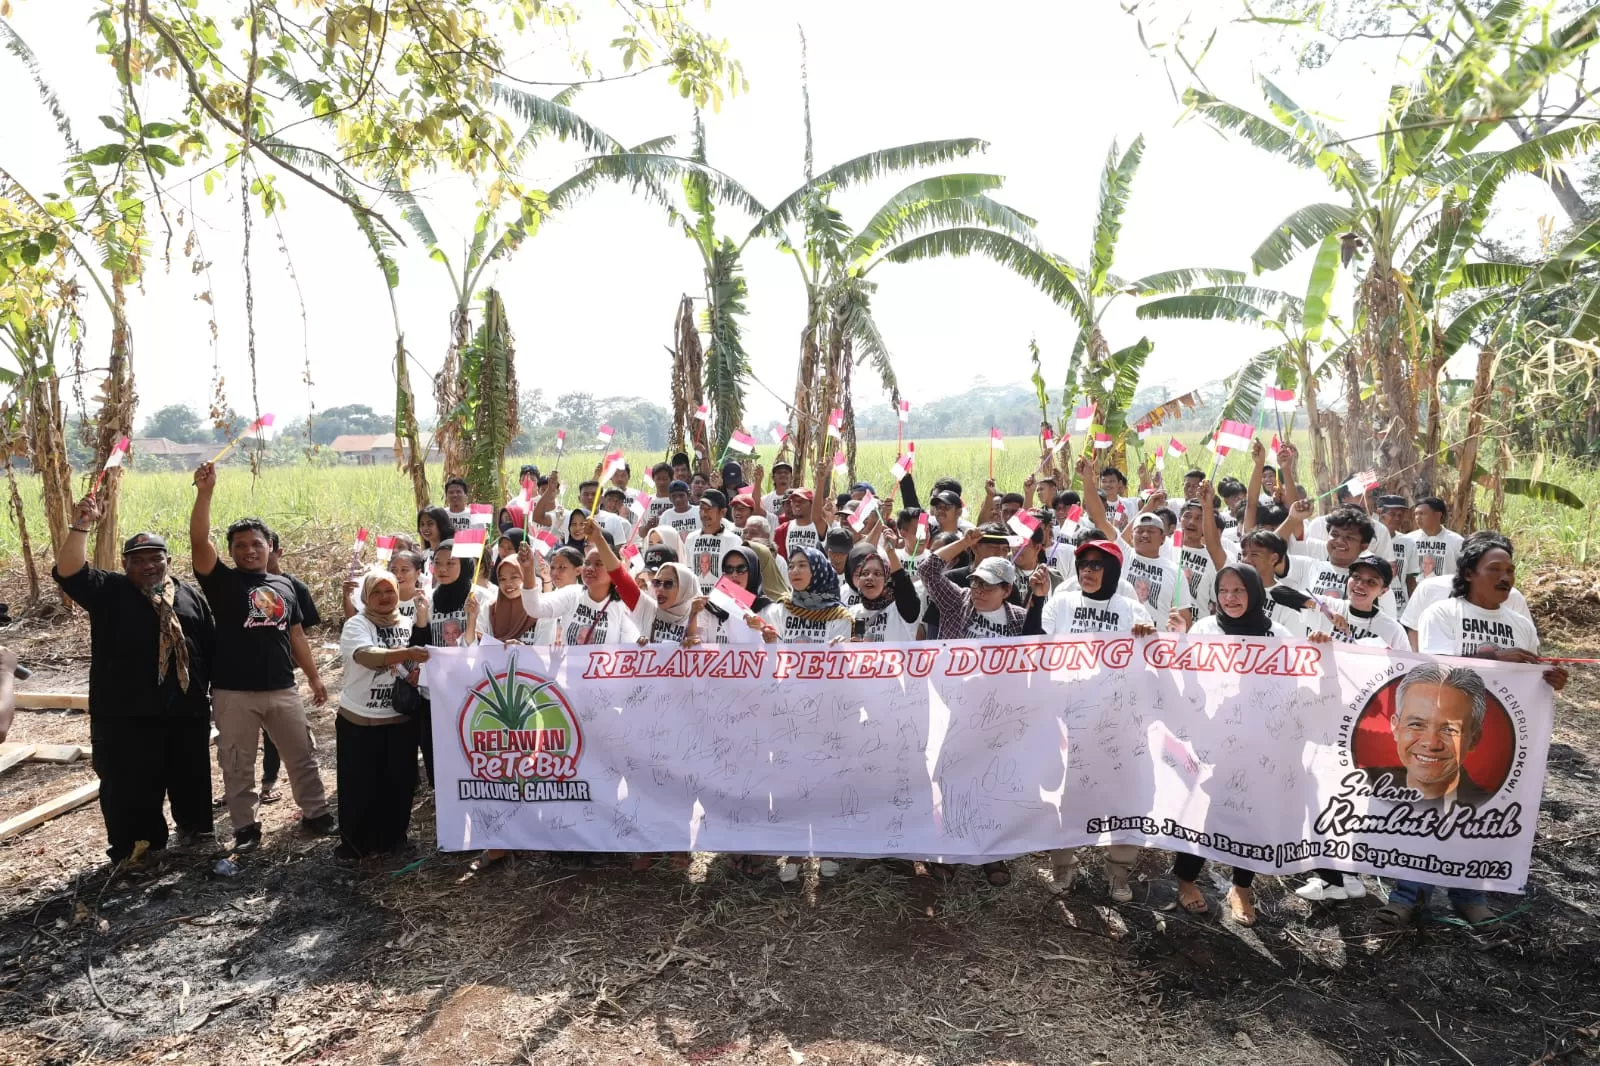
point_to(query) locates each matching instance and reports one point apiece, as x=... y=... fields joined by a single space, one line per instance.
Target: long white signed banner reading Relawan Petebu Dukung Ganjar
x=1268 y=755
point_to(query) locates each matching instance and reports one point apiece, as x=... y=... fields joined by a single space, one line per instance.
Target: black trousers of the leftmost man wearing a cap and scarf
x=145 y=763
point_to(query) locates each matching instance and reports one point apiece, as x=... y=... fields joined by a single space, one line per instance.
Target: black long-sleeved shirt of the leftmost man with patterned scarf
x=124 y=644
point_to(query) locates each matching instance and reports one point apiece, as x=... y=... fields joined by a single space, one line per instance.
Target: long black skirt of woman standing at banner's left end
x=377 y=774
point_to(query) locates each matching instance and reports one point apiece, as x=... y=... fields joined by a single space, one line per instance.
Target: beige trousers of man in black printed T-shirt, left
x=241 y=718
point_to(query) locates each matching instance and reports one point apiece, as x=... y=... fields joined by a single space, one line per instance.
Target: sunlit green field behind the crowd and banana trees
x=305 y=502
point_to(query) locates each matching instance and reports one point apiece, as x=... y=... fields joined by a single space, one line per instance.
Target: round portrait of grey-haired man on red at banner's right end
x=1436 y=731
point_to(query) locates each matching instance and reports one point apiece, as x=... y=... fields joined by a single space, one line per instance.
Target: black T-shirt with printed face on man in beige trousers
x=254 y=619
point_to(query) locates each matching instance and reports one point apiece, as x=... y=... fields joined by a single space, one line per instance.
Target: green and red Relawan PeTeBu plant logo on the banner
x=521 y=739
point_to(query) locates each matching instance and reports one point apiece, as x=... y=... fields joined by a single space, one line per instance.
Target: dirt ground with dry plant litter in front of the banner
x=300 y=960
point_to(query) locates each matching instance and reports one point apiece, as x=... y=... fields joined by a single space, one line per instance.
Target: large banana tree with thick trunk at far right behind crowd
x=1409 y=218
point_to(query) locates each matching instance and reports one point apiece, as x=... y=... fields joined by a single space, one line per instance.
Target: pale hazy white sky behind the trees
x=594 y=295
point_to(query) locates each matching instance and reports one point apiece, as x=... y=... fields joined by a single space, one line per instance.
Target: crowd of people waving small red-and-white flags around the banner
x=631 y=564
